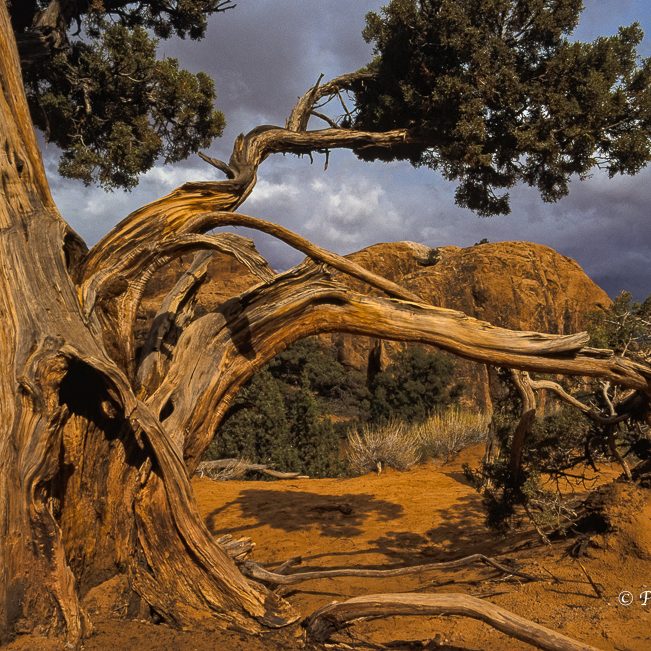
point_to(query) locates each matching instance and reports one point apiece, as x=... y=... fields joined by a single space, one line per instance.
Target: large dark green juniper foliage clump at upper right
x=499 y=95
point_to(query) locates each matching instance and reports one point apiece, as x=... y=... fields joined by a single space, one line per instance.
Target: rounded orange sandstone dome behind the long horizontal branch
x=517 y=285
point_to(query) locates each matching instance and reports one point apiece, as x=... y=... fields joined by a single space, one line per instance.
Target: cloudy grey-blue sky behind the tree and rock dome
x=265 y=53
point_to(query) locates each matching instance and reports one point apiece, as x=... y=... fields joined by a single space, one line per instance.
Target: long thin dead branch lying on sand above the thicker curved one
x=257 y=572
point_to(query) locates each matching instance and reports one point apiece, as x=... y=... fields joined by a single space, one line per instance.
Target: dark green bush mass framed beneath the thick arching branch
x=283 y=416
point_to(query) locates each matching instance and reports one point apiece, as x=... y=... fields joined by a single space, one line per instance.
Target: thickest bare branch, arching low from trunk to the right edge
x=218 y=352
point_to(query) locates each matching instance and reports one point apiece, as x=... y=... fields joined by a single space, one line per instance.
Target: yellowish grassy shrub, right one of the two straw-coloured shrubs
x=446 y=432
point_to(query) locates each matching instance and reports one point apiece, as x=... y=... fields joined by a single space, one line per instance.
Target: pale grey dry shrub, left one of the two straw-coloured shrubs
x=393 y=443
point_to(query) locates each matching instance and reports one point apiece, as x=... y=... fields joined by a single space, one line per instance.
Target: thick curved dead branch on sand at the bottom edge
x=328 y=620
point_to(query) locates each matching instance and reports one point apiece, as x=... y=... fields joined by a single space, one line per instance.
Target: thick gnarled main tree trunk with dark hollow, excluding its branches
x=90 y=484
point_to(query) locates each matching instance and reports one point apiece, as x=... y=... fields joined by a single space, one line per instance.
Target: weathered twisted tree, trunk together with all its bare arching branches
x=97 y=444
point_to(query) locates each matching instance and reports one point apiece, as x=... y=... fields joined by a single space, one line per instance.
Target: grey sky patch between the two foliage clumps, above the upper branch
x=265 y=53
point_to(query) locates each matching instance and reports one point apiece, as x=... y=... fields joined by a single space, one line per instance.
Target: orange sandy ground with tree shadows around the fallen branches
x=424 y=515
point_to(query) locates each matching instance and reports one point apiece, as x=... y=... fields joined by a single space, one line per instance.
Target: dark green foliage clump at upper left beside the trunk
x=97 y=89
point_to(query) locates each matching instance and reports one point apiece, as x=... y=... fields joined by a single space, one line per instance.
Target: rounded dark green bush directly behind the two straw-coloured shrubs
x=414 y=384
